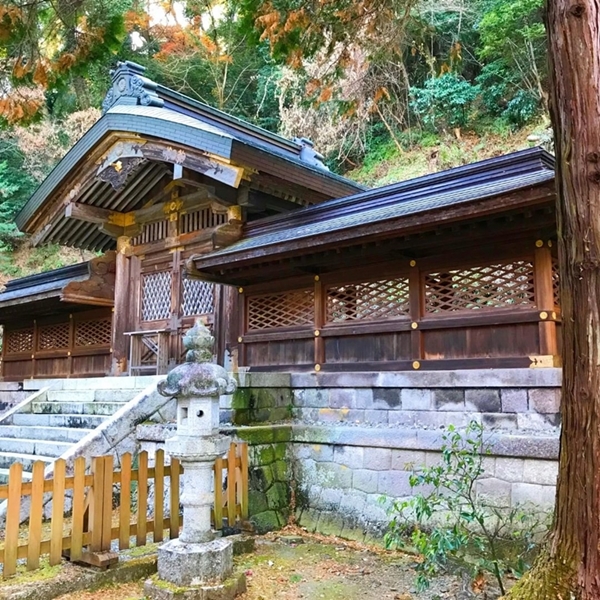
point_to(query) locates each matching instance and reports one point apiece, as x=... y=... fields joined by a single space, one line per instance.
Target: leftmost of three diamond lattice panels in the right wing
x=287 y=309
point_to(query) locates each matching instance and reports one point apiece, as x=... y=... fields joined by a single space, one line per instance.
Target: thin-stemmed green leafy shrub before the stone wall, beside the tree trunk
x=455 y=528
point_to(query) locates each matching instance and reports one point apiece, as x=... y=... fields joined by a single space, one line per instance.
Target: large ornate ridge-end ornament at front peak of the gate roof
x=129 y=86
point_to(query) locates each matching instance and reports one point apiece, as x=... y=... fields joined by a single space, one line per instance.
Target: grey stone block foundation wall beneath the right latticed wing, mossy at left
x=352 y=438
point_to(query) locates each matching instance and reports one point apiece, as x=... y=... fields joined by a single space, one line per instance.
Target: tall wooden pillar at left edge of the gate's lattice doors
x=122 y=308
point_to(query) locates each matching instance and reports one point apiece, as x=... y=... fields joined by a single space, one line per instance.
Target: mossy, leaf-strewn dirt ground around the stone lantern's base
x=286 y=567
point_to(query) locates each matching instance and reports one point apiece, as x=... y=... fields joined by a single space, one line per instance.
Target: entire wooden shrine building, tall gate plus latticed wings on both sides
x=199 y=214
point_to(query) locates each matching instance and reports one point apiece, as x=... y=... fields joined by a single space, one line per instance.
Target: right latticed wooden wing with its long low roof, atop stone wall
x=452 y=270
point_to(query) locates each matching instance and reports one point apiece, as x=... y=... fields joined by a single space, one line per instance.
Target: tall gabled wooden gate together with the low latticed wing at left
x=157 y=179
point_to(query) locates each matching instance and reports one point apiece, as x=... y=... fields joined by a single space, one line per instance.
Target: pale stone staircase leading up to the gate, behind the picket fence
x=57 y=415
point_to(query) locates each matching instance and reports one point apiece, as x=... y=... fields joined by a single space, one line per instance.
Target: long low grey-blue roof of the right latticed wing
x=485 y=179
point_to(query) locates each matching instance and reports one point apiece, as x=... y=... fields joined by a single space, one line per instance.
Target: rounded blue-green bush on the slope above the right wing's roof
x=444 y=101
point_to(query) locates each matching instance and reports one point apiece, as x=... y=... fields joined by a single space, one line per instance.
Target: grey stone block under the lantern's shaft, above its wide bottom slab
x=188 y=564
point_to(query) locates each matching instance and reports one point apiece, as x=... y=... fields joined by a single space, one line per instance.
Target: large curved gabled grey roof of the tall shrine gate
x=137 y=105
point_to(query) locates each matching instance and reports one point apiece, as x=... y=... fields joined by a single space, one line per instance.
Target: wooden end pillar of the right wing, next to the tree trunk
x=544 y=297
